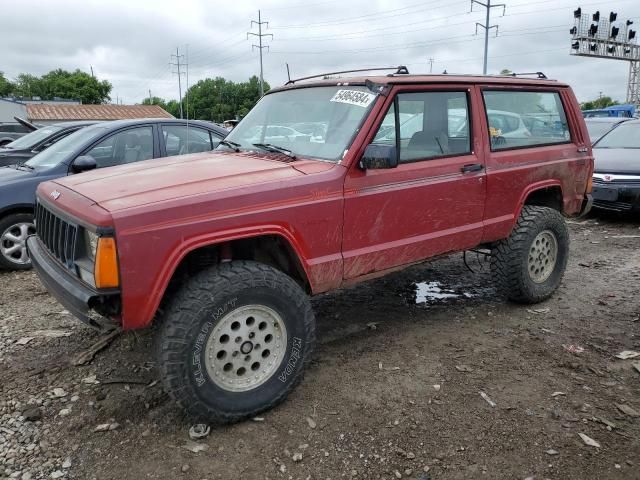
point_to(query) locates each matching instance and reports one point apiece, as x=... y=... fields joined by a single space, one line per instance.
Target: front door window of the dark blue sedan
x=127 y=146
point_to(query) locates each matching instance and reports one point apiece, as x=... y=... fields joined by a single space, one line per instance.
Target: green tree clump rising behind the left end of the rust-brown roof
x=64 y=84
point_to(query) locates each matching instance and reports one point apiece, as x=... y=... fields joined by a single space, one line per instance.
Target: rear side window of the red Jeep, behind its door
x=520 y=119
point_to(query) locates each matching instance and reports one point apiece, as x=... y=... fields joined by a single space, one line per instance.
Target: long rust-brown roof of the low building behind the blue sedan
x=46 y=114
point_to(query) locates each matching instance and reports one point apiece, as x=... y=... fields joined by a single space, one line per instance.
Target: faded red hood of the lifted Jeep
x=151 y=181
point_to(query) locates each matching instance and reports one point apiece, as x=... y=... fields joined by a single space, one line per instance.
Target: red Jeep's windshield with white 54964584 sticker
x=315 y=122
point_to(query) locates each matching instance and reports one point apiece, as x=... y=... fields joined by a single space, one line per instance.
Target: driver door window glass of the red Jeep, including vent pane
x=431 y=125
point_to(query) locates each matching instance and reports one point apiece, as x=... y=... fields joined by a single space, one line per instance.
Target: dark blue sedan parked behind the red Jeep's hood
x=97 y=146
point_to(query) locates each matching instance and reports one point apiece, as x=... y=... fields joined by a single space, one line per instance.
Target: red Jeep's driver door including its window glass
x=433 y=202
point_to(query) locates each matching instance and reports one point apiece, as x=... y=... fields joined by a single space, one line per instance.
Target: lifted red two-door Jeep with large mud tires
x=325 y=183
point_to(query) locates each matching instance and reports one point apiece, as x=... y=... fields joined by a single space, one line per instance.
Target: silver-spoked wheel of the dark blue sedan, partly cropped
x=14 y=230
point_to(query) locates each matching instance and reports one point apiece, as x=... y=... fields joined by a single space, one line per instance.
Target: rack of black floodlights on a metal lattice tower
x=593 y=36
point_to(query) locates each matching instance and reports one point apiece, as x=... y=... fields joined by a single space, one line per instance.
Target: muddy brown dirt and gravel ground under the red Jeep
x=393 y=392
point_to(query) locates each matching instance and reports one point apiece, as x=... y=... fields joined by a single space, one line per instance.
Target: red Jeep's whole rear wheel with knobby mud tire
x=528 y=266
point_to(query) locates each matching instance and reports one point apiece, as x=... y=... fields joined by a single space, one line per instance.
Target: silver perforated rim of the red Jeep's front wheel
x=246 y=348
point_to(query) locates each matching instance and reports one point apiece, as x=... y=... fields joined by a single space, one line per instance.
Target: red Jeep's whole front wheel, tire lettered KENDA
x=235 y=340
